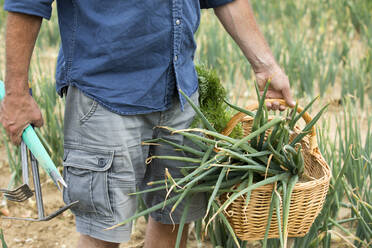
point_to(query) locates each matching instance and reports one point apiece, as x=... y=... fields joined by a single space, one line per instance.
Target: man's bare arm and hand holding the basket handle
x=238 y=19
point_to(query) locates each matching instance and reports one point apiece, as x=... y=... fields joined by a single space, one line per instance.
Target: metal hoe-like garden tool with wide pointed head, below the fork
x=39 y=196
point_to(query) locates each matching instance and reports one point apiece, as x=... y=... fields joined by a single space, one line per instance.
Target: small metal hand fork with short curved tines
x=23 y=192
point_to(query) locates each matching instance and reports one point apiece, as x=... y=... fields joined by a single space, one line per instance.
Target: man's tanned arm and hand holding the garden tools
x=18 y=109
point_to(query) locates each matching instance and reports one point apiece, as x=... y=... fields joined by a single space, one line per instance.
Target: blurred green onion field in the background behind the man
x=325 y=47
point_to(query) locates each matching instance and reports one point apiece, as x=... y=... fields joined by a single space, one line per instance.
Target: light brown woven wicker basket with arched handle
x=249 y=222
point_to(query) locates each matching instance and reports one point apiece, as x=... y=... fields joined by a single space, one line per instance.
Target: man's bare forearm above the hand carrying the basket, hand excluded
x=238 y=19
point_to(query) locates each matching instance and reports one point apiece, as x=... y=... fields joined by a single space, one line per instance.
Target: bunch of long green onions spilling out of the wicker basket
x=228 y=169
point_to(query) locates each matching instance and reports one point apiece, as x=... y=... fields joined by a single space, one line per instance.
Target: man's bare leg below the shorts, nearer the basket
x=160 y=235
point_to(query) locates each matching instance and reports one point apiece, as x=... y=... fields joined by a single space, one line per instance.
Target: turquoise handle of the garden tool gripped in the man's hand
x=33 y=143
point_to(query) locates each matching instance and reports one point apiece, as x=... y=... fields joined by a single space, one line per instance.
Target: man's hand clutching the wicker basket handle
x=278 y=89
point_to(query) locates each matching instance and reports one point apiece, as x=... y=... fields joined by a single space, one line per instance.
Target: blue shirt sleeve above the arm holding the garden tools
x=42 y=8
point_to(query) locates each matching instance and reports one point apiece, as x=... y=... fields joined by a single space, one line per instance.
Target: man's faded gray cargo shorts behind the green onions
x=104 y=161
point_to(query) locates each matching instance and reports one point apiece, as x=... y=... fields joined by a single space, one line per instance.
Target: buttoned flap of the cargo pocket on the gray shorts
x=88 y=158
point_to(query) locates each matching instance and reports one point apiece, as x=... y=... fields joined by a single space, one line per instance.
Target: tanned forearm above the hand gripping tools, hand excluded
x=21 y=34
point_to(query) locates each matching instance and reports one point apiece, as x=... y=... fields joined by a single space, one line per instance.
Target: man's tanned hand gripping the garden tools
x=16 y=113
